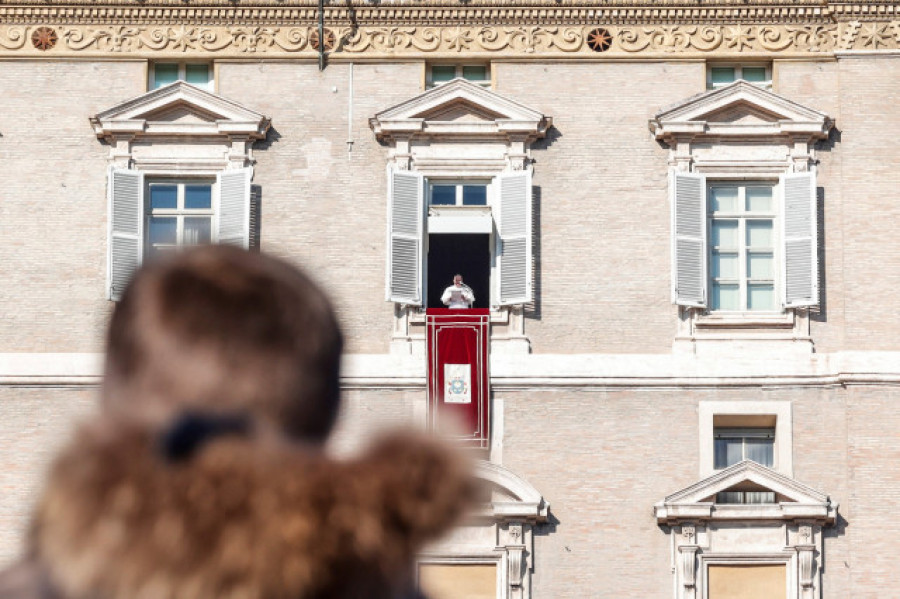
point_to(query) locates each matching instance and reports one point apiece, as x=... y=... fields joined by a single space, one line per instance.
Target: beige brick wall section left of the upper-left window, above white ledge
x=53 y=201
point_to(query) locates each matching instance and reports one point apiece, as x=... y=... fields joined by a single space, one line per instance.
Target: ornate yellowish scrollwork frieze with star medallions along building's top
x=202 y=32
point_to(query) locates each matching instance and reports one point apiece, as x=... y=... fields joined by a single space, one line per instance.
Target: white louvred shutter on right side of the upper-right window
x=799 y=233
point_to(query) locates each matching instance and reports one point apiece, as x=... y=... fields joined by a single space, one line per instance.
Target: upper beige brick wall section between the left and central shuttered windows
x=322 y=205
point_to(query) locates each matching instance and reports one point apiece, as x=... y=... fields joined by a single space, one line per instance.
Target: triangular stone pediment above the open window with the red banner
x=459 y=108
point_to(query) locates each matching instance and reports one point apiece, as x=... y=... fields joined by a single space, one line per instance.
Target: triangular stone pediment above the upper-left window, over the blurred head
x=180 y=109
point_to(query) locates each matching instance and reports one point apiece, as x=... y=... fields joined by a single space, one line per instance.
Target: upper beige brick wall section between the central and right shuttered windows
x=603 y=278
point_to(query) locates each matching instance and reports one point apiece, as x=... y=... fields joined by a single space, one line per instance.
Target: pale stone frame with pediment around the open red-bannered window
x=420 y=133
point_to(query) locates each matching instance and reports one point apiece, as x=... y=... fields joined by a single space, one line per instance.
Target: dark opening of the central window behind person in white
x=468 y=254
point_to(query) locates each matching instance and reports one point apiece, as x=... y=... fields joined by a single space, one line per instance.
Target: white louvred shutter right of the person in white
x=514 y=226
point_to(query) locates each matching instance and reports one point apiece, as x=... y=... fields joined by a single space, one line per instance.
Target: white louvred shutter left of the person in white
x=406 y=215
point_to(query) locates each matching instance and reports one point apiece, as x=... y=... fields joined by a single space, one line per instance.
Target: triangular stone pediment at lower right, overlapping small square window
x=793 y=500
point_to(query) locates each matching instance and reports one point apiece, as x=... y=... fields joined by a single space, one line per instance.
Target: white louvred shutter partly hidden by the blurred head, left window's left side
x=126 y=223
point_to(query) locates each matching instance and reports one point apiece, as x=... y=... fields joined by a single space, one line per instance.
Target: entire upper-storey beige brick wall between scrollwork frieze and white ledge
x=603 y=237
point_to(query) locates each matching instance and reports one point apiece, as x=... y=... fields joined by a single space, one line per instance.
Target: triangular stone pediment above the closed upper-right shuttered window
x=738 y=110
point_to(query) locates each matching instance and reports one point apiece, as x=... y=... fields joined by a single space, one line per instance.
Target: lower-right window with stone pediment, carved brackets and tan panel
x=726 y=549
